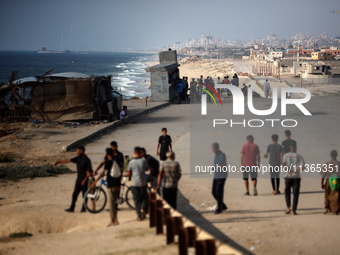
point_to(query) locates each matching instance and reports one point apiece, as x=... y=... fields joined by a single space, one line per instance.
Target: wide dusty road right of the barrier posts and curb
x=257 y=223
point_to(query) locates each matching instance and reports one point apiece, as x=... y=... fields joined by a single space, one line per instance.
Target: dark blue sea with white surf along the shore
x=127 y=69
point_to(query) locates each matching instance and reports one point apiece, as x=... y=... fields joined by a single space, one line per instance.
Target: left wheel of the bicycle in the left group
x=95 y=200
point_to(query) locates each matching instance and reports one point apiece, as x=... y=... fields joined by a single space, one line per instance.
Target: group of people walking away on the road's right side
x=284 y=155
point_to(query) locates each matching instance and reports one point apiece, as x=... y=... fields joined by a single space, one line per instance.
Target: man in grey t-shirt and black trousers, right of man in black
x=295 y=164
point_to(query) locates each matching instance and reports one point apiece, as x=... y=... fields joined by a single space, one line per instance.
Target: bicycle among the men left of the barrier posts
x=95 y=200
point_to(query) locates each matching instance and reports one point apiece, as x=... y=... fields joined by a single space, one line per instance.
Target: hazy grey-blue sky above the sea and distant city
x=150 y=24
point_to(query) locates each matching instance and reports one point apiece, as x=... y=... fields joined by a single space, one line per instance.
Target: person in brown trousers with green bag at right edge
x=332 y=197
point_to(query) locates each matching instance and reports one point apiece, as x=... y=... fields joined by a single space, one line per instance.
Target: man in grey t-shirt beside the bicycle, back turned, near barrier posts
x=136 y=170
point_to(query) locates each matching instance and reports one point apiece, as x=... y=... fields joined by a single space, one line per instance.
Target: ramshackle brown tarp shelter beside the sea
x=67 y=97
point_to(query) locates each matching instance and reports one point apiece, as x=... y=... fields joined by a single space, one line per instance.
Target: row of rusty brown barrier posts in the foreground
x=190 y=238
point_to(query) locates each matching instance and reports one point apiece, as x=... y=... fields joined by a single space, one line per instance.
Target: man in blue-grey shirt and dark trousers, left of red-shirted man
x=219 y=178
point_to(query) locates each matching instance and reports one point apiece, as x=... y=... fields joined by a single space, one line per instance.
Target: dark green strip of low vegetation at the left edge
x=15 y=173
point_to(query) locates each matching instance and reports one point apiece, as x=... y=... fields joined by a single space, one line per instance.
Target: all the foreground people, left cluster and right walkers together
x=166 y=173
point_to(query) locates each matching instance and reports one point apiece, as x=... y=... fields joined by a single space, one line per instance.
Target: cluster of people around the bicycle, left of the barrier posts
x=164 y=174
